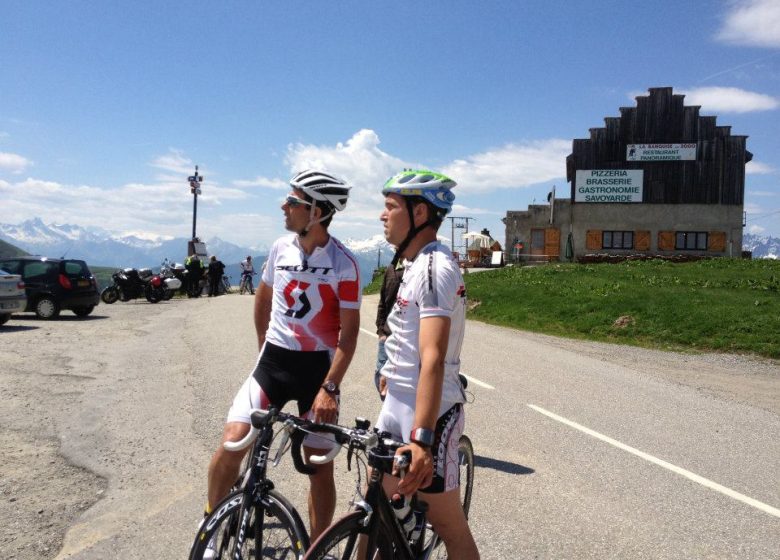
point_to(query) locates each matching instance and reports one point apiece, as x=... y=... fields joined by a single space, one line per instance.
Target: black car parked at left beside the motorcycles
x=55 y=284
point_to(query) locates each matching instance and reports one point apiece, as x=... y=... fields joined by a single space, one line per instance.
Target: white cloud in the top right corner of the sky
x=754 y=23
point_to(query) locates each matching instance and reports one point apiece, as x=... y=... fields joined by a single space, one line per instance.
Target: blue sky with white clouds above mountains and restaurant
x=105 y=107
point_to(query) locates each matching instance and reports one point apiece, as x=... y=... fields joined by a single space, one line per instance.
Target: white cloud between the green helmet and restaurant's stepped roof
x=512 y=166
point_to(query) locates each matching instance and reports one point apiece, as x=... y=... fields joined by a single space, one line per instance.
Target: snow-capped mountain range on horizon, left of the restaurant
x=103 y=248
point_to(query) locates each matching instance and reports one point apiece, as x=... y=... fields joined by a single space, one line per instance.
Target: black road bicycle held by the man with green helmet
x=373 y=530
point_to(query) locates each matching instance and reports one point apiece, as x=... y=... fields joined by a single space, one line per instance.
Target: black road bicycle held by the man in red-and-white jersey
x=255 y=521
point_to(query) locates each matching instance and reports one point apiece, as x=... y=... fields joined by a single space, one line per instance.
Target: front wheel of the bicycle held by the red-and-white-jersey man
x=272 y=529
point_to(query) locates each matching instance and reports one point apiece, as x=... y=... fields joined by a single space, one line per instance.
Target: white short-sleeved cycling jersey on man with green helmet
x=431 y=286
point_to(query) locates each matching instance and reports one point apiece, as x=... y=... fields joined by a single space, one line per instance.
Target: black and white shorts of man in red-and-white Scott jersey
x=281 y=376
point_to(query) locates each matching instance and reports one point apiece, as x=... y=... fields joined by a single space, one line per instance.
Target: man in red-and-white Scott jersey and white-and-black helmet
x=307 y=316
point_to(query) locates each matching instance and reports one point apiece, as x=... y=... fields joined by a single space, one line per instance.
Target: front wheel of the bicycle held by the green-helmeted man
x=342 y=540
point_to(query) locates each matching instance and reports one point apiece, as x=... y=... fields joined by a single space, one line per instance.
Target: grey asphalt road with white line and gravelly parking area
x=583 y=450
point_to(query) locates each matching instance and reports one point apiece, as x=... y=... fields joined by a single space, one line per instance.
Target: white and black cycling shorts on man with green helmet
x=397 y=417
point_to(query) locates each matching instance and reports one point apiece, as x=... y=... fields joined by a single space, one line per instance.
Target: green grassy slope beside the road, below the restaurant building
x=727 y=305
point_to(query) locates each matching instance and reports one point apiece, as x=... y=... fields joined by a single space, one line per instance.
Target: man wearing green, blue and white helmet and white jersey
x=424 y=401
